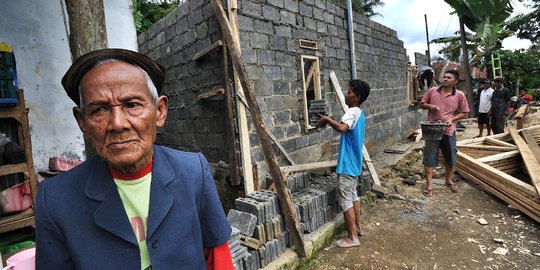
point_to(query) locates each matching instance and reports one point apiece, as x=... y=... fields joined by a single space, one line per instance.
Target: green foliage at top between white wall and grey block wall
x=148 y=12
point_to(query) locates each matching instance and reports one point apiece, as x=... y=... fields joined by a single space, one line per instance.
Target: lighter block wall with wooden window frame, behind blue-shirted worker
x=270 y=32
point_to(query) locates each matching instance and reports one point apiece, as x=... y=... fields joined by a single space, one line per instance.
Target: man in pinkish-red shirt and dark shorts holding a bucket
x=444 y=103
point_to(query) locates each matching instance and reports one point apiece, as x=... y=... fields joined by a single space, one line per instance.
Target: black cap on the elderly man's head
x=85 y=63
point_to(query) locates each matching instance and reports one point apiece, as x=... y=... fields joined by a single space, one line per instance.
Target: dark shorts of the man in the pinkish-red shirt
x=448 y=148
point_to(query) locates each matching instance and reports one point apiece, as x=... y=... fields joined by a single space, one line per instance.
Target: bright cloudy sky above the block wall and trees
x=407 y=18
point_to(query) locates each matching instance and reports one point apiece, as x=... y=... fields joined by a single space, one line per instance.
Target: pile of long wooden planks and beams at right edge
x=506 y=165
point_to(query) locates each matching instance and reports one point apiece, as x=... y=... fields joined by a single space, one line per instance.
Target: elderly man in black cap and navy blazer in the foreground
x=136 y=205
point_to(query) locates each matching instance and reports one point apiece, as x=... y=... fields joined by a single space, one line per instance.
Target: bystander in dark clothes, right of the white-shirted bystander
x=500 y=102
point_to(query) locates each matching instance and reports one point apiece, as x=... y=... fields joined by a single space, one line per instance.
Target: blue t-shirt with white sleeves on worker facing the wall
x=351 y=143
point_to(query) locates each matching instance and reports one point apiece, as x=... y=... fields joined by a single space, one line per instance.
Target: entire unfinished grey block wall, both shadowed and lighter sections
x=270 y=31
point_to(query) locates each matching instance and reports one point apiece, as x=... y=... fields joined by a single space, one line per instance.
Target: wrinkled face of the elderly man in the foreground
x=119 y=116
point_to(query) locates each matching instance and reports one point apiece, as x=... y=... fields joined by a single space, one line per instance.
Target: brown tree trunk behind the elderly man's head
x=87 y=33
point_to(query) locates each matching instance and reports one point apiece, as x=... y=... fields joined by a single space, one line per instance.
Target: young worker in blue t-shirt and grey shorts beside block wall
x=349 y=166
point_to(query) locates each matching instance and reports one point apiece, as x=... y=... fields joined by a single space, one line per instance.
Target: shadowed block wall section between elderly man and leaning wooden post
x=173 y=41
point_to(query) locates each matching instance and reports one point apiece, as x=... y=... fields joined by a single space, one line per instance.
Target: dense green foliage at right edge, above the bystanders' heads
x=523 y=66
